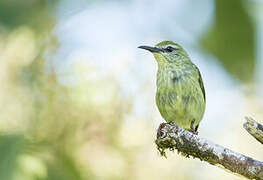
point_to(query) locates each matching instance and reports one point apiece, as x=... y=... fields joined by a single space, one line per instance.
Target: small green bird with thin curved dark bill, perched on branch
x=180 y=95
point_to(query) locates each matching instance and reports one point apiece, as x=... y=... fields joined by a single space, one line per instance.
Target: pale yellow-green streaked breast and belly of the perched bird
x=179 y=96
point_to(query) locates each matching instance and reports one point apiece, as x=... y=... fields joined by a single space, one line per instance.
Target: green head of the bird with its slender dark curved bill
x=167 y=52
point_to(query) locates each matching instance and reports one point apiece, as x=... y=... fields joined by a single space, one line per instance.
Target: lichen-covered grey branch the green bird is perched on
x=173 y=137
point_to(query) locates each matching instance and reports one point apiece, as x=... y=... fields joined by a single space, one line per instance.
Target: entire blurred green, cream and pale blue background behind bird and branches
x=77 y=95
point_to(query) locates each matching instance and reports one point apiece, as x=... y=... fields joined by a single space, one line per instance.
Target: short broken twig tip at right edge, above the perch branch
x=254 y=128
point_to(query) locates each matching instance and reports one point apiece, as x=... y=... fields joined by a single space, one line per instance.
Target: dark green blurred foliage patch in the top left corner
x=33 y=13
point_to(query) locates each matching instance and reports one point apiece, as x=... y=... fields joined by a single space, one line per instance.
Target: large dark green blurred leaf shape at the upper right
x=232 y=39
